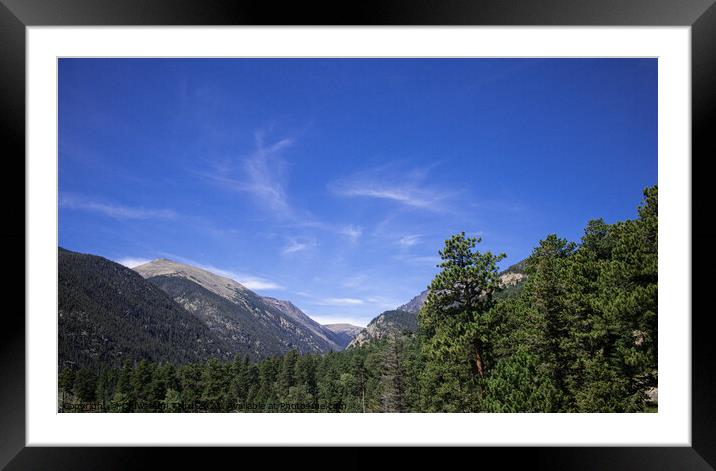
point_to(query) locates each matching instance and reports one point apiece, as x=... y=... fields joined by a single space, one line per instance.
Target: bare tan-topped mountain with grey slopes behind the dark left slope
x=255 y=325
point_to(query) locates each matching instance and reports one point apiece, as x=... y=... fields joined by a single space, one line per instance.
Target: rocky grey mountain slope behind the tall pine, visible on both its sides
x=405 y=317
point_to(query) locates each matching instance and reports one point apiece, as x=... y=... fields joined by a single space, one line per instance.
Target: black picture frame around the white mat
x=16 y=15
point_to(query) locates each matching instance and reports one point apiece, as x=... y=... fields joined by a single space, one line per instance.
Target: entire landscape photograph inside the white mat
x=324 y=235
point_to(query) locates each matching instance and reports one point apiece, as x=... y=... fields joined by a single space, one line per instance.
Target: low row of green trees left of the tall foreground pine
x=349 y=381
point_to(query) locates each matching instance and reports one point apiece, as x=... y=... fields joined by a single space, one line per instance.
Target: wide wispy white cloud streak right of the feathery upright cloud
x=406 y=188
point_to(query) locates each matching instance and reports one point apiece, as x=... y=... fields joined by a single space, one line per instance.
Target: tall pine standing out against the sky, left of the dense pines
x=455 y=325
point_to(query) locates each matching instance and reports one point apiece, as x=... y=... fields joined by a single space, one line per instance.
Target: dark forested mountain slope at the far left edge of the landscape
x=108 y=313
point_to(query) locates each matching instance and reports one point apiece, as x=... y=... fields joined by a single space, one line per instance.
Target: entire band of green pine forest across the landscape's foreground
x=579 y=335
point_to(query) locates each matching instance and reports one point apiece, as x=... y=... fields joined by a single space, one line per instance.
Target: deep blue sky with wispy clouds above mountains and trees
x=333 y=183
